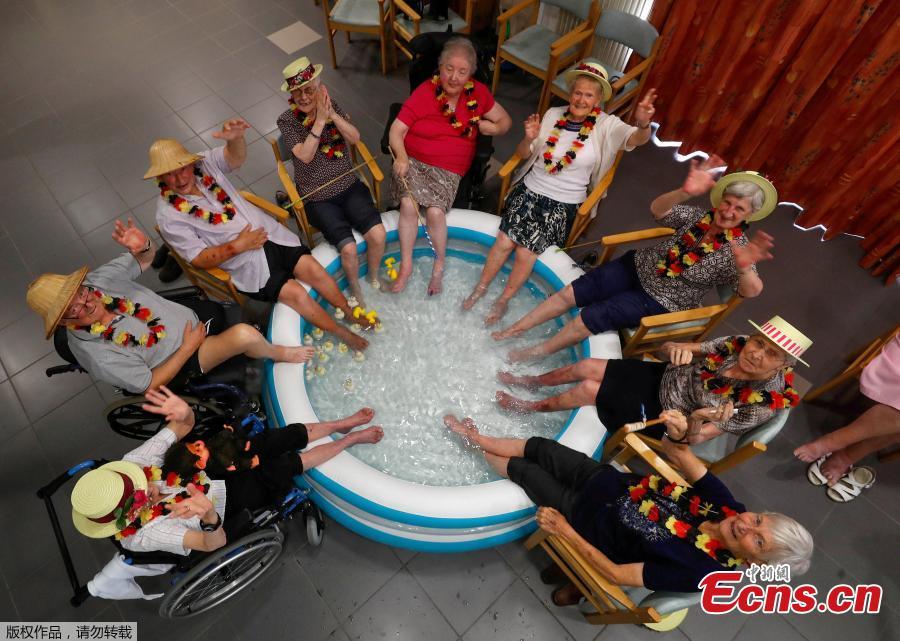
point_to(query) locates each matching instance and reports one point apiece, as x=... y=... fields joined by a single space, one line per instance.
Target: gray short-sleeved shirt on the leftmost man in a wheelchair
x=126 y=366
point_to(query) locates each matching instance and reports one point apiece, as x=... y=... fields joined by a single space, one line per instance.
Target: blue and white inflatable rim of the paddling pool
x=410 y=515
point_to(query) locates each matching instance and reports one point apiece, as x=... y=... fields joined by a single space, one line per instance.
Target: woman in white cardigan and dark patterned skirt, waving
x=567 y=152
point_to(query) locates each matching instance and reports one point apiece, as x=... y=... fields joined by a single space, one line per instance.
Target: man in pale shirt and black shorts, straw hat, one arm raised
x=206 y=220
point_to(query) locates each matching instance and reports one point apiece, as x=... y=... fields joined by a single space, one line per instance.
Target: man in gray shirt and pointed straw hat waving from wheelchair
x=129 y=336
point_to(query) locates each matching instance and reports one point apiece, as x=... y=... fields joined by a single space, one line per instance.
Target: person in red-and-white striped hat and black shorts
x=729 y=384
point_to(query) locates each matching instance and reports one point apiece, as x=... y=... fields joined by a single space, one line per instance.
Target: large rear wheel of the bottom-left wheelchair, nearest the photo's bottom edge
x=223 y=574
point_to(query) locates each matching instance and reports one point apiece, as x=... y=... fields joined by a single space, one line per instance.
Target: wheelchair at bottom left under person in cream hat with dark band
x=201 y=581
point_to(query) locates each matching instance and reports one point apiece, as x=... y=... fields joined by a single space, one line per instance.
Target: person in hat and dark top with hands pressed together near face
x=319 y=134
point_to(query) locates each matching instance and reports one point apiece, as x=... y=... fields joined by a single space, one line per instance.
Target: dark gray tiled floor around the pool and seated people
x=86 y=86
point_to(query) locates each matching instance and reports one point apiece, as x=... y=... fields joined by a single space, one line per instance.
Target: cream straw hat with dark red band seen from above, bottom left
x=100 y=492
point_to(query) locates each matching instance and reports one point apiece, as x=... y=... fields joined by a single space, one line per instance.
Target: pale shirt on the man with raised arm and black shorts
x=190 y=235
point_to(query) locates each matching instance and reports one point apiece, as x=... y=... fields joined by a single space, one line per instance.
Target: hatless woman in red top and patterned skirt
x=433 y=140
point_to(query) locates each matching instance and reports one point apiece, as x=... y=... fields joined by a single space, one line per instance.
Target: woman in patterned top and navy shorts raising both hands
x=709 y=248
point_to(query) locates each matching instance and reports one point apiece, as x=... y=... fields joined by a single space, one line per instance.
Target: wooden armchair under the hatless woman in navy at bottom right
x=660 y=611
